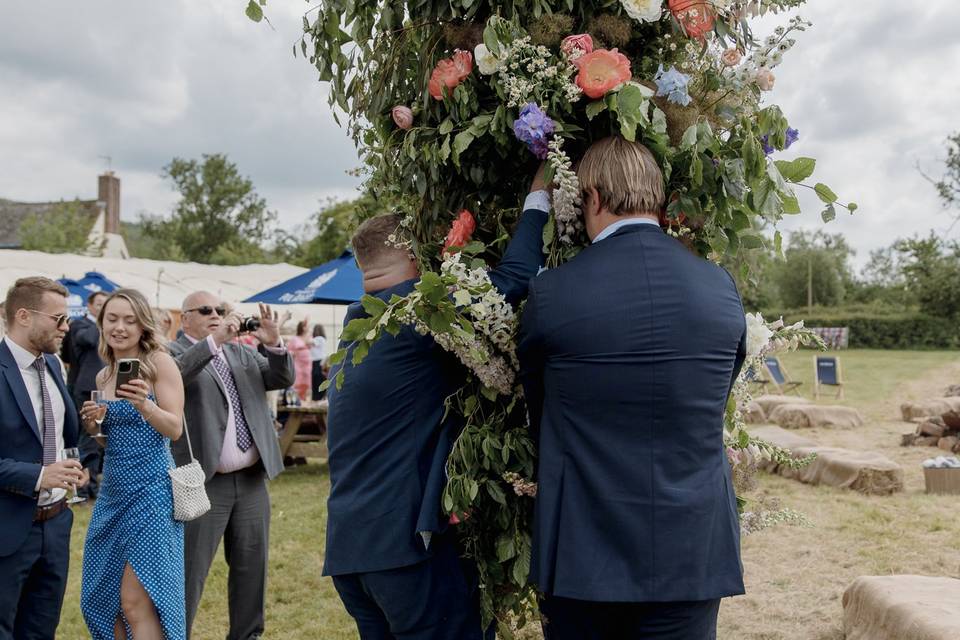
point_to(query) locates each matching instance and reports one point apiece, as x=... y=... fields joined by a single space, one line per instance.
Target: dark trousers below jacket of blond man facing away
x=568 y=619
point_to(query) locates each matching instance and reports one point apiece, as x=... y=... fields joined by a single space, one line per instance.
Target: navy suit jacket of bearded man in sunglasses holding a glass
x=21 y=448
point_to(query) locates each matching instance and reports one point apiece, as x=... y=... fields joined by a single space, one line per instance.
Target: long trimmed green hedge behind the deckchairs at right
x=905 y=330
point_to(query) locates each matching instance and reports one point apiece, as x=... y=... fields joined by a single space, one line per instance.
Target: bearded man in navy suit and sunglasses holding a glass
x=37 y=421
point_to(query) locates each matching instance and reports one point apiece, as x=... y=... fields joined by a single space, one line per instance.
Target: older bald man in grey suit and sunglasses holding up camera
x=232 y=434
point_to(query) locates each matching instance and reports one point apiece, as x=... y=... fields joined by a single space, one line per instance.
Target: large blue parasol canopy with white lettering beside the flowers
x=336 y=282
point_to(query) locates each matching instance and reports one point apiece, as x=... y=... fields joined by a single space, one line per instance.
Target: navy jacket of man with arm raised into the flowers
x=388 y=445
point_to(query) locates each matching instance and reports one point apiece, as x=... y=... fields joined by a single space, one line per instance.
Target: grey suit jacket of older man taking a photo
x=206 y=404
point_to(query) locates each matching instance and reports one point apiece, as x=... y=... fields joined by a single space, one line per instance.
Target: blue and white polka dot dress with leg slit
x=133 y=523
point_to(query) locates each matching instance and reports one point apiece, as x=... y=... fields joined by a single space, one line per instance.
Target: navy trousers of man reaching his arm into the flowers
x=437 y=599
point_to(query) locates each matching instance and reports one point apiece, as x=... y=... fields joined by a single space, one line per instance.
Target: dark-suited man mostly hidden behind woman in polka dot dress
x=80 y=351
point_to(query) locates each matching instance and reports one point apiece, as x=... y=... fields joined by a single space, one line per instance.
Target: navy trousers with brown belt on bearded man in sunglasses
x=33 y=580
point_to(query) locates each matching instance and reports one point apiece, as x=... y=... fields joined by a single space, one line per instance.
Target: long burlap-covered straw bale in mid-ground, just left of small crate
x=864 y=471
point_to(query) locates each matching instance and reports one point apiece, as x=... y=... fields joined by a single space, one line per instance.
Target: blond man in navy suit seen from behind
x=628 y=353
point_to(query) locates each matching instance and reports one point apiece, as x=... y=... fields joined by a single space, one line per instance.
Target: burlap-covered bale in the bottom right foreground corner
x=902 y=607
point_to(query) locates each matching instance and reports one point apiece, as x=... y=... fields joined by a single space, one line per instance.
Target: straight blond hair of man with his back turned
x=625 y=175
